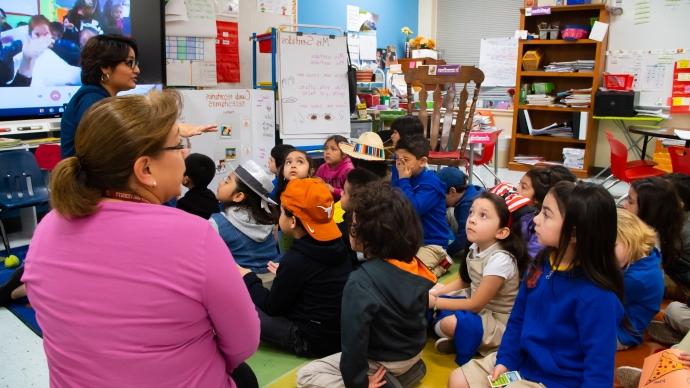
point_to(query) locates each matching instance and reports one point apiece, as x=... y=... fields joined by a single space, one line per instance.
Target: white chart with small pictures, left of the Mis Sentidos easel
x=246 y=126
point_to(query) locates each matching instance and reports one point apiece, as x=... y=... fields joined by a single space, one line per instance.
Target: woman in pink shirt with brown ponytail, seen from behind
x=129 y=293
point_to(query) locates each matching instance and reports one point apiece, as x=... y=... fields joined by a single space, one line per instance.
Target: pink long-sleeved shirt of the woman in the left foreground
x=138 y=295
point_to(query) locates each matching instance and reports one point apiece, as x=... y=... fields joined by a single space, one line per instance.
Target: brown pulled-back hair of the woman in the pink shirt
x=111 y=136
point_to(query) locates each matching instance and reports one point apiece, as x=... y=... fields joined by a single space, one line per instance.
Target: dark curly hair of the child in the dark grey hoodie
x=385 y=223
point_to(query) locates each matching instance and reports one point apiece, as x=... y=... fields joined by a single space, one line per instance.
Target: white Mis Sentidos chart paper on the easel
x=312 y=76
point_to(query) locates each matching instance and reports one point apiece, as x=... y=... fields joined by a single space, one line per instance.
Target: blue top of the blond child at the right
x=644 y=291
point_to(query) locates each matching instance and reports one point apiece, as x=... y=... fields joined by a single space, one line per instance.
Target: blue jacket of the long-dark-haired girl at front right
x=562 y=330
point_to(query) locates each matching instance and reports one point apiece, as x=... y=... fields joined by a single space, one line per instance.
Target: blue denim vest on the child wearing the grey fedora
x=247 y=252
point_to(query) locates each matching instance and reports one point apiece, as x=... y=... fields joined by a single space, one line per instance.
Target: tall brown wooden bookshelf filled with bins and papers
x=558 y=50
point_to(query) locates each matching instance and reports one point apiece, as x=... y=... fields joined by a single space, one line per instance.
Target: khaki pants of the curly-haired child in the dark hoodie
x=325 y=372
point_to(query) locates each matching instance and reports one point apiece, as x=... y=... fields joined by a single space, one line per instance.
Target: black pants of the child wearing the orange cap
x=283 y=333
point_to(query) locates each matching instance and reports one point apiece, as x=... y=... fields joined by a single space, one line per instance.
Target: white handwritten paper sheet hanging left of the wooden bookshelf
x=498 y=61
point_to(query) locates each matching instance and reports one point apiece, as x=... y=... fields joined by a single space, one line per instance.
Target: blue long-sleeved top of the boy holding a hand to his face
x=428 y=195
